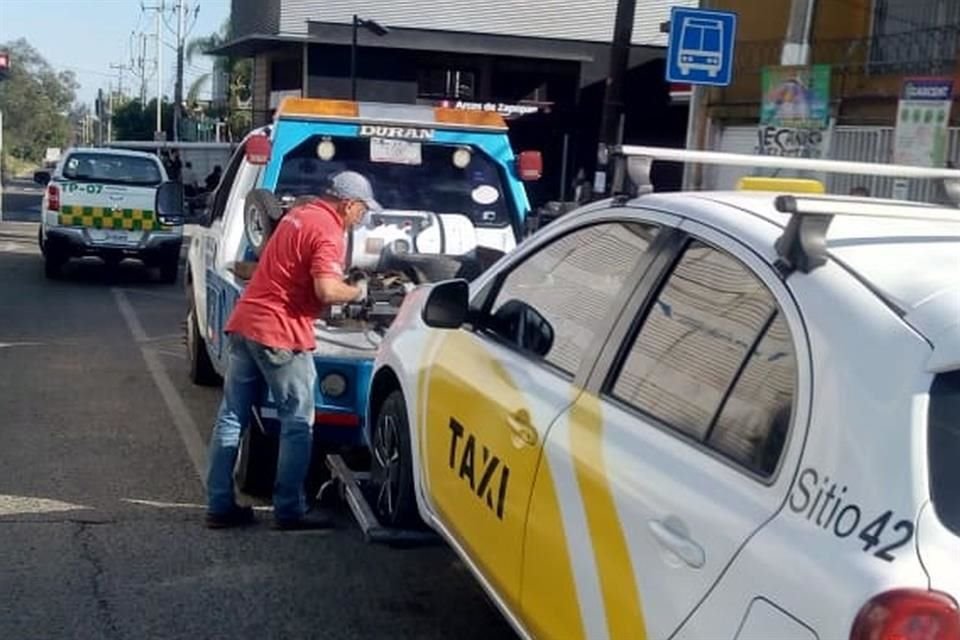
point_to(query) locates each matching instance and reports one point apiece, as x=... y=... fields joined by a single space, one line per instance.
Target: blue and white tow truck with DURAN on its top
x=454 y=202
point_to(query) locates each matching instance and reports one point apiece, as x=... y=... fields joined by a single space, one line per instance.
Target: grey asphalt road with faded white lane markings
x=101 y=502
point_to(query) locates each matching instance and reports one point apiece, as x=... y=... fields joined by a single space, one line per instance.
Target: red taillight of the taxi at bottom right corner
x=908 y=614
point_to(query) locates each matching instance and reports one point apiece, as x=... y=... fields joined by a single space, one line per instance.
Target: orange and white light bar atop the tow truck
x=388 y=113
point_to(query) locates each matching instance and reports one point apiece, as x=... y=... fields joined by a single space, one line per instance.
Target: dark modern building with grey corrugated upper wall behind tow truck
x=543 y=64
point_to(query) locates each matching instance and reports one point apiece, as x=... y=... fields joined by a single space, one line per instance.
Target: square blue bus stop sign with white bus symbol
x=701 y=46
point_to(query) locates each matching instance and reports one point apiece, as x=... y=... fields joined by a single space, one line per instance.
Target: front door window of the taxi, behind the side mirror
x=553 y=304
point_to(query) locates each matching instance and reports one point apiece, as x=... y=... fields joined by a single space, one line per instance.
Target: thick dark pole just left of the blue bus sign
x=611 y=129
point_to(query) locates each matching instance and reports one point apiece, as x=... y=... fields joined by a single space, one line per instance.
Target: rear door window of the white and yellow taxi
x=714 y=360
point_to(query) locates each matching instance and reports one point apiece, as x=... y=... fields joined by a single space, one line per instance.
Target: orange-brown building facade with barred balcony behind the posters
x=872 y=46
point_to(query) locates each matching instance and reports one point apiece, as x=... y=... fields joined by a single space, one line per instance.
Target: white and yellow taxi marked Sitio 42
x=693 y=415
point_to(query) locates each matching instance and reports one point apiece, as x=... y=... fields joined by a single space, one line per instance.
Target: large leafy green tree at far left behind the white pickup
x=36 y=101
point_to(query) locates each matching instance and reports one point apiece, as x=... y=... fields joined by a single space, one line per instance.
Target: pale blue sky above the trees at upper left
x=88 y=36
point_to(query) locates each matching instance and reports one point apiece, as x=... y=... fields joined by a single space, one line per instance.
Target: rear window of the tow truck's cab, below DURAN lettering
x=406 y=175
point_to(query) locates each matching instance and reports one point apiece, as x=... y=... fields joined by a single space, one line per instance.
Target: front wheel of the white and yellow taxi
x=394 y=499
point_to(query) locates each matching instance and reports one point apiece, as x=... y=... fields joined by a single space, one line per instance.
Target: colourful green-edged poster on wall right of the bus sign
x=795 y=111
